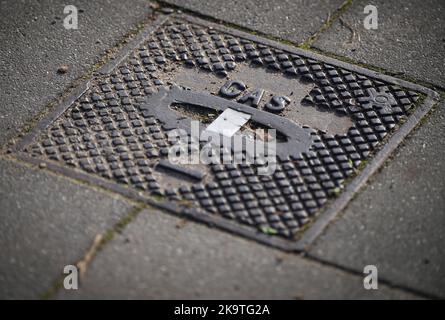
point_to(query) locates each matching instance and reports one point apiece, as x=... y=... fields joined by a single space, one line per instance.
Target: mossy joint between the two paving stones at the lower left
x=108 y=236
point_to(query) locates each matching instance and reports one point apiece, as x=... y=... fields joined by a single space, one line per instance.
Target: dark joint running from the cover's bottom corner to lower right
x=381 y=280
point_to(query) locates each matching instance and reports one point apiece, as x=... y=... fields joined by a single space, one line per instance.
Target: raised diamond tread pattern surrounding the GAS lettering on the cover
x=108 y=132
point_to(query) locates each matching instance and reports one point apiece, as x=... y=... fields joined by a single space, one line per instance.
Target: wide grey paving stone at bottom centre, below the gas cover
x=153 y=258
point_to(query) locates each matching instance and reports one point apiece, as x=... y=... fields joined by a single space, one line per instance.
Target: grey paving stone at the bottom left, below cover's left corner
x=46 y=222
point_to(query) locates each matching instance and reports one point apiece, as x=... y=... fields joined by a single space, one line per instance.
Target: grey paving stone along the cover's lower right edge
x=397 y=222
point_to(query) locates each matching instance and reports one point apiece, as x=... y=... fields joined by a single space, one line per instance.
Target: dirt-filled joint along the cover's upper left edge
x=110 y=55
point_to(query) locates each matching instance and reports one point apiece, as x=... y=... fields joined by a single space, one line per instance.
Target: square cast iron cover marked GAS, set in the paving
x=338 y=124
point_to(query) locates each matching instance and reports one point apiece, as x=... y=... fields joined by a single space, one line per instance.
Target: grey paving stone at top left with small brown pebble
x=34 y=44
